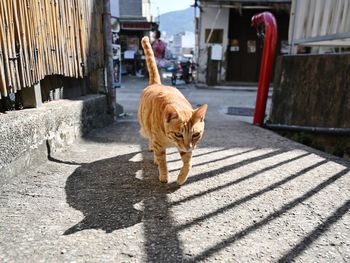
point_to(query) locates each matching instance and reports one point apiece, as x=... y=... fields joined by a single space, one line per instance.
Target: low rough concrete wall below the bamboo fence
x=29 y=136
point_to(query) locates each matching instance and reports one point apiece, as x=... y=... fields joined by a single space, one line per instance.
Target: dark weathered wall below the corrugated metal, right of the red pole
x=312 y=90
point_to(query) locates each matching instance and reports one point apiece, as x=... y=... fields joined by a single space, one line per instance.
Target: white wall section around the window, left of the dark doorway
x=207 y=21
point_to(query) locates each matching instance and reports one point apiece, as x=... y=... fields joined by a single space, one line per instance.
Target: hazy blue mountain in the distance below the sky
x=177 y=21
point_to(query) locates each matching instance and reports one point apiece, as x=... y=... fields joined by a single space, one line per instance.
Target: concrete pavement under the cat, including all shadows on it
x=252 y=196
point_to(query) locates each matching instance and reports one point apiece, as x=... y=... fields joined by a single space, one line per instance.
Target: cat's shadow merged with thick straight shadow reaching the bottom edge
x=106 y=192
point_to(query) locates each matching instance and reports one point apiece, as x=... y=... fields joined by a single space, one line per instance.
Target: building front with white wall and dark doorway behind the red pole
x=225 y=29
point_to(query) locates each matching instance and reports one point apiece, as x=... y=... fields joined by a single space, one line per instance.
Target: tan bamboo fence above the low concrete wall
x=48 y=37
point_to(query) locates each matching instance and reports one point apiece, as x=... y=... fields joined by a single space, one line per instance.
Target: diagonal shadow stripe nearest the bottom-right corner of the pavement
x=316 y=233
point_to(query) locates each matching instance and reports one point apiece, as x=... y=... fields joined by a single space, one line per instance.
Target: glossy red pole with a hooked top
x=267 y=60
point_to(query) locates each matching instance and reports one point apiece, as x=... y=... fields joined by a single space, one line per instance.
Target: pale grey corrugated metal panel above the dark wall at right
x=316 y=21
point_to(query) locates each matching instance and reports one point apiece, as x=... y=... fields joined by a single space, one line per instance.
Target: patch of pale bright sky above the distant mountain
x=166 y=6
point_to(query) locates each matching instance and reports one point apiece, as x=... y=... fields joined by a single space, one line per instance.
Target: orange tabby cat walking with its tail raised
x=168 y=119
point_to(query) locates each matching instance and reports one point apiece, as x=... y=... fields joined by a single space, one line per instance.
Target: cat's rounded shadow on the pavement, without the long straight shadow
x=111 y=193
